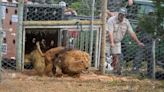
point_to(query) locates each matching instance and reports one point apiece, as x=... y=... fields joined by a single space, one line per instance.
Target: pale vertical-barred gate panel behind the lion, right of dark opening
x=80 y=39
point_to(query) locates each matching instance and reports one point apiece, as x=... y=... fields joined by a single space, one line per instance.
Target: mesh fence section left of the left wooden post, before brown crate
x=9 y=20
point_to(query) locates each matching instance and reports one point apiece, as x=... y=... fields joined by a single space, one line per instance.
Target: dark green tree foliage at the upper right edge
x=154 y=22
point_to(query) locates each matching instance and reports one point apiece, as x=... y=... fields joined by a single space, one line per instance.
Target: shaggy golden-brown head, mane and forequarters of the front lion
x=72 y=62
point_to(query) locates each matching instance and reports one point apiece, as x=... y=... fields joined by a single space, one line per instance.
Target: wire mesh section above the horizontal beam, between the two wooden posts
x=74 y=9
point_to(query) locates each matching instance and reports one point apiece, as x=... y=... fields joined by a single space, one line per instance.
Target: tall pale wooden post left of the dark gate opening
x=19 y=33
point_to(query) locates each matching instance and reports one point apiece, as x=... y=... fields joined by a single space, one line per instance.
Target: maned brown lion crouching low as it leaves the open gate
x=62 y=60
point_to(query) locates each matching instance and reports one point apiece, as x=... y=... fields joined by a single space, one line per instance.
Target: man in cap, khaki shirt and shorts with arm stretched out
x=117 y=27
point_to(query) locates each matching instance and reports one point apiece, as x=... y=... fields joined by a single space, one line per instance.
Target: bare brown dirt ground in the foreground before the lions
x=88 y=82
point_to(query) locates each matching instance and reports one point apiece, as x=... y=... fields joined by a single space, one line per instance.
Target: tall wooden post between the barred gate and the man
x=103 y=38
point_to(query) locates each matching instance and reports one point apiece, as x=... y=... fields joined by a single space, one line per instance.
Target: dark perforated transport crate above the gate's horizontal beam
x=36 y=12
